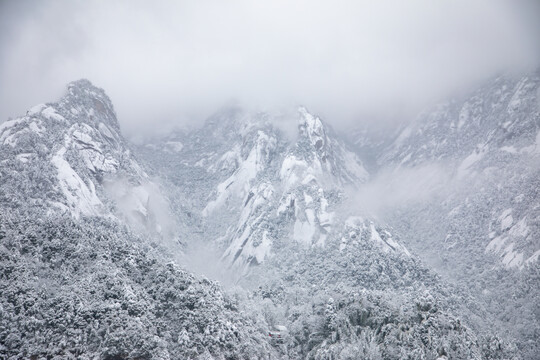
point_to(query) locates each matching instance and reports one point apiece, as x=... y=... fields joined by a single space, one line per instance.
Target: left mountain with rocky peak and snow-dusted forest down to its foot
x=86 y=265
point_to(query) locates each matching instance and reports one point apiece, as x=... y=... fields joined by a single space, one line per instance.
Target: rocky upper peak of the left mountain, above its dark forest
x=69 y=156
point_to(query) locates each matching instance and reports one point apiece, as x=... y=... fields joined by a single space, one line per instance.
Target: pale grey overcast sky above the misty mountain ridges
x=164 y=62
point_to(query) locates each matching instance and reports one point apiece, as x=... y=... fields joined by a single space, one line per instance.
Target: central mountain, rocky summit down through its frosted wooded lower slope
x=275 y=206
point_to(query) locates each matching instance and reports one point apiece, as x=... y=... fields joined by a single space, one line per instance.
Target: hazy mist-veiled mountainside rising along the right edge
x=479 y=226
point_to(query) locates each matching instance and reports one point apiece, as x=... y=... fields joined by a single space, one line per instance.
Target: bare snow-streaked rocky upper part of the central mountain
x=261 y=184
